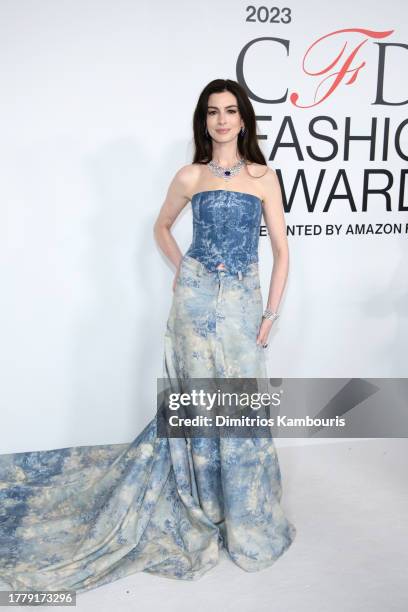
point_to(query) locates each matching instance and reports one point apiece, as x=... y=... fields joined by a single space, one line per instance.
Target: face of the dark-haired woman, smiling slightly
x=223 y=117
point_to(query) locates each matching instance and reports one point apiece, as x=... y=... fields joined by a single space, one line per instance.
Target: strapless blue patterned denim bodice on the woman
x=225 y=229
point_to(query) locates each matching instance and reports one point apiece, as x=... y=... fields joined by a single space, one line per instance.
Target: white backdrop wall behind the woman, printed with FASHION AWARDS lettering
x=97 y=100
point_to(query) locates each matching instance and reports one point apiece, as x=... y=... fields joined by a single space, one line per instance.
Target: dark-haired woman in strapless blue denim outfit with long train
x=80 y=517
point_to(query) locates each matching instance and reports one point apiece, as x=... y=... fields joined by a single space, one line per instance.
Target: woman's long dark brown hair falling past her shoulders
x=247 y=143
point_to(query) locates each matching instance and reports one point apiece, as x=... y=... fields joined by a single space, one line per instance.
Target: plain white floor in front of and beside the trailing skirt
x=349 y=503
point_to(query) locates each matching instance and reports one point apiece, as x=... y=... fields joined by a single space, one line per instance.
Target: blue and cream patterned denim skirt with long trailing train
x=80 y=517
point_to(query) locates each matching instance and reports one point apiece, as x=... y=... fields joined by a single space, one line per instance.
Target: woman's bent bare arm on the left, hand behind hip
x=176 y=199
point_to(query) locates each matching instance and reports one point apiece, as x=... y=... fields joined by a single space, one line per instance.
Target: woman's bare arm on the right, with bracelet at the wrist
x=275 y=222
